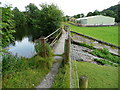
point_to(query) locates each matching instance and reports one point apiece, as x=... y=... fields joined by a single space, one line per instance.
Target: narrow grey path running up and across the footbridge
x=49 y=78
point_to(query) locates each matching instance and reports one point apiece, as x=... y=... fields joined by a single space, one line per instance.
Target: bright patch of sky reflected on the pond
x=23 y=48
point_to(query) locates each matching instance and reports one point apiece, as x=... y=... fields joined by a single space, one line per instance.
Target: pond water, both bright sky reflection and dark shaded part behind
x=24 y=42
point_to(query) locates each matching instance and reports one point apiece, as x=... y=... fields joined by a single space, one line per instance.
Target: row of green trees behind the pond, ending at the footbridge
x=32 y=17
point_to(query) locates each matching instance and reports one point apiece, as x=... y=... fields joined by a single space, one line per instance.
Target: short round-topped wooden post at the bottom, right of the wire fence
x=83 y=82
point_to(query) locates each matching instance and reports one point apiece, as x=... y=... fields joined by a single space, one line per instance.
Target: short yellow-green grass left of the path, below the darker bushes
x=29 y=78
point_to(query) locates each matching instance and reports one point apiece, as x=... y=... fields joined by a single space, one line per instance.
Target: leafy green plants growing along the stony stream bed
x=103 y=53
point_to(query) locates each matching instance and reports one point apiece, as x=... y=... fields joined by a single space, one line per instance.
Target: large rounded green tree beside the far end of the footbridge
x=50 y=18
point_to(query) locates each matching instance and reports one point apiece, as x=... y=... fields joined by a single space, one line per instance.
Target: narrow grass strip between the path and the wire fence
x=62 y=80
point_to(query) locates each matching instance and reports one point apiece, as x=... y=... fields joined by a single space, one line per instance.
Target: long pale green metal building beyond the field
x=96 y=20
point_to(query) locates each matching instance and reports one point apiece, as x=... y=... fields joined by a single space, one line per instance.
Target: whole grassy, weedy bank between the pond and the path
x=24 y=73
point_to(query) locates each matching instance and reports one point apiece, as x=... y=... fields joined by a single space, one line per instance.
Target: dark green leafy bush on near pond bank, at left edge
x=12 y=64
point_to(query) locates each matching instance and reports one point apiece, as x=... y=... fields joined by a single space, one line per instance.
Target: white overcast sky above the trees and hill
x=69 y=7
